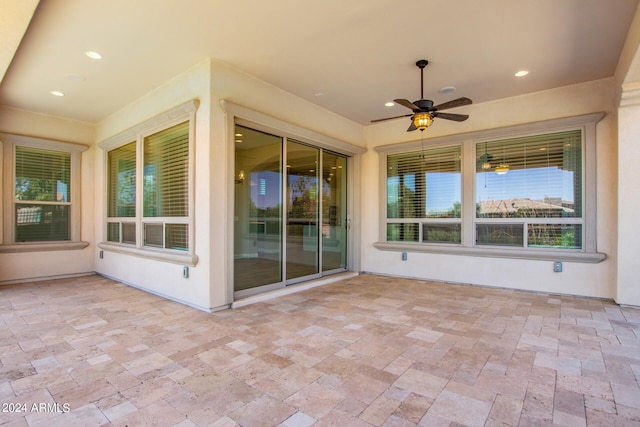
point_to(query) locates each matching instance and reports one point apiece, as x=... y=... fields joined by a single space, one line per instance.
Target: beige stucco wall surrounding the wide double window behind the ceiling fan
x=577 y=278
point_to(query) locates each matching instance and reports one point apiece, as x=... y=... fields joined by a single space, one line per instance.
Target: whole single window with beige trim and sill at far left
x=42 y=194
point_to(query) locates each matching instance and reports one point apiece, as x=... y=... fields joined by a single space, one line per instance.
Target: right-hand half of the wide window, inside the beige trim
x=529 y=191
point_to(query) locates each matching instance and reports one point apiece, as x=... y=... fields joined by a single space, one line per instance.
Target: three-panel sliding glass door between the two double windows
x=290 y=212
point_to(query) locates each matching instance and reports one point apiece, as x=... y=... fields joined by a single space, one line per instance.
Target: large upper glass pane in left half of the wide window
x=424 y=184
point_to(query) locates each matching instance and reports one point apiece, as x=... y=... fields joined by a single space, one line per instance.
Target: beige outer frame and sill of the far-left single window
x=8 y=147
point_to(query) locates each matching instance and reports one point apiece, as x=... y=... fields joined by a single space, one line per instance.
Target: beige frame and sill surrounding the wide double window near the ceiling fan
x=588 y=253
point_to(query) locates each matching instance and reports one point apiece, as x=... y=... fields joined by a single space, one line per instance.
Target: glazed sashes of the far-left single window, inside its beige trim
x=42 y=195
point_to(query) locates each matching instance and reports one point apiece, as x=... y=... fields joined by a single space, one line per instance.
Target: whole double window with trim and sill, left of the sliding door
x=149 y=187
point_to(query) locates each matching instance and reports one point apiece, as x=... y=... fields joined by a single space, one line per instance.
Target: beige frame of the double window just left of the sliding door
x=181 y=114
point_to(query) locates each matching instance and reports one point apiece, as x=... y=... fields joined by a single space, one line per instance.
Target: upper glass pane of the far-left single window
x=42 y=175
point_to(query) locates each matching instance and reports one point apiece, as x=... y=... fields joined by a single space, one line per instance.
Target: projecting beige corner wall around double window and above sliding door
x=208 y=286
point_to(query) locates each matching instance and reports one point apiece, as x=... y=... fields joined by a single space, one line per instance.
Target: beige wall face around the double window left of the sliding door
x=163 y=278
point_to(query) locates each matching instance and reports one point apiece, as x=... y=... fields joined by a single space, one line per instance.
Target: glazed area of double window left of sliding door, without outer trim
x=164 y=191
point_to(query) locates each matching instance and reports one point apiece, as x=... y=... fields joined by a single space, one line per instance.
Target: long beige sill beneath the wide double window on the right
x=483 y=251
